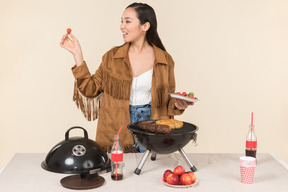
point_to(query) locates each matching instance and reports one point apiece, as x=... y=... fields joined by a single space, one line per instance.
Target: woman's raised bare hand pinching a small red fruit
x=73 y=46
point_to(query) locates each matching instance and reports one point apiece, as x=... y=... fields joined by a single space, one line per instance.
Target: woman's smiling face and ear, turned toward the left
x=131 y=27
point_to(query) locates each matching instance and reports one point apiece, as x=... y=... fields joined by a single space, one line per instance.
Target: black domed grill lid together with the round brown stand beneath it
x=80 y=156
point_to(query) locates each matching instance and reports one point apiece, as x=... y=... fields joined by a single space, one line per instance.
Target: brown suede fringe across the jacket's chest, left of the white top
x=117 y=88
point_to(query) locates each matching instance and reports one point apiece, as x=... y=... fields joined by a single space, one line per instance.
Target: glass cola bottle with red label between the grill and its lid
x=117 y=160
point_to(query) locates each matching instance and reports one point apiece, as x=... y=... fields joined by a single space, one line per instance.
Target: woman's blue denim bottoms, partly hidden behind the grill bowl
x=140 y=113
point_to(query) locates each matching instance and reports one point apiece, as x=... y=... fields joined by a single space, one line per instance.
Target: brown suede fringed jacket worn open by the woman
x=111 y=84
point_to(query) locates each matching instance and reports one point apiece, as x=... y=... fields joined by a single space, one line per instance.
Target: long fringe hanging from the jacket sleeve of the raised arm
x=89 y=106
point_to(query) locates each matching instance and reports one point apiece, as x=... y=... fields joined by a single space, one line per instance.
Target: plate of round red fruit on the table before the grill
x=178 y=178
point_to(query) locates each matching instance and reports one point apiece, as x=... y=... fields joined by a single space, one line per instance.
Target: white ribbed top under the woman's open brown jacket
x=141 y=89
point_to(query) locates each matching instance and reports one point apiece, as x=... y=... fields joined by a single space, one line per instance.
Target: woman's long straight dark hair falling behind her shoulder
x=146 y=13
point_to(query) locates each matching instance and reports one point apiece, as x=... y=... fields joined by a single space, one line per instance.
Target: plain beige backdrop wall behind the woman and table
x=232 y=54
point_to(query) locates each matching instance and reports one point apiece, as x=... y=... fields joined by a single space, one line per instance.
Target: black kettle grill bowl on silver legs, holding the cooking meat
x=164 y=143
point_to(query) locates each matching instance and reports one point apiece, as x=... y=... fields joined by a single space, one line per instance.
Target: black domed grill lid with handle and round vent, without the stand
x=76 y=155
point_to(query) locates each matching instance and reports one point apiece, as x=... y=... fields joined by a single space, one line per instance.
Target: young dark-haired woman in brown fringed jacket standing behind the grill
x=133 y=81
